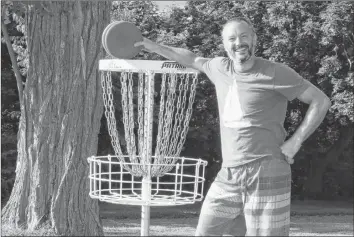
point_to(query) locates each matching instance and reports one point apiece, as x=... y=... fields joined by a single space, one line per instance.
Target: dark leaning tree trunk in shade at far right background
x=314 y=184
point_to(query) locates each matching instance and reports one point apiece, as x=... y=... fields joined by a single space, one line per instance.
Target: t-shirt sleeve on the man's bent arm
x=288 y=82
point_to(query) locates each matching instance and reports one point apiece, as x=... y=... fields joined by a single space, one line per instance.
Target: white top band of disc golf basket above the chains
x=121 y=65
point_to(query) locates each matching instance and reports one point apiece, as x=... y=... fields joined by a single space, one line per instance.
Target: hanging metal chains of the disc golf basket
x=172 y=127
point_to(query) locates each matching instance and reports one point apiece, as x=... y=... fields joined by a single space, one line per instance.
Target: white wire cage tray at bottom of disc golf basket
x=110 y=182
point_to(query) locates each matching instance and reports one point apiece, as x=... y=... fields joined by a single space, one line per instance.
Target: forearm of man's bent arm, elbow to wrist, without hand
x=313 y=118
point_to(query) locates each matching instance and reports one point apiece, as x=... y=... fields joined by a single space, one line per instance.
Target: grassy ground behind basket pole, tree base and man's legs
x=308 y=218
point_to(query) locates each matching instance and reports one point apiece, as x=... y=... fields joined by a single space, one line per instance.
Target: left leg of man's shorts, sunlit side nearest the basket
x=222 y=205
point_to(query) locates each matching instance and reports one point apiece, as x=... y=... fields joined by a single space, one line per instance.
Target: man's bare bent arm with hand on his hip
x=319 y=104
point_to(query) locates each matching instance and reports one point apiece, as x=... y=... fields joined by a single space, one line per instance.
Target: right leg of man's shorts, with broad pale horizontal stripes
x=267 y=206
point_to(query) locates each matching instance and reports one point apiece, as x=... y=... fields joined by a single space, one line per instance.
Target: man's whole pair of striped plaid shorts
x=251 y=200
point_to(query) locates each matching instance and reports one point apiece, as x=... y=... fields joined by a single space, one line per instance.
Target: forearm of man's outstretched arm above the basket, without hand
x=182 y=56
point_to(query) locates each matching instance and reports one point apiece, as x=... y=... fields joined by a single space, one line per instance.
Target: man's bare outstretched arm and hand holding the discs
x=182 y=56
